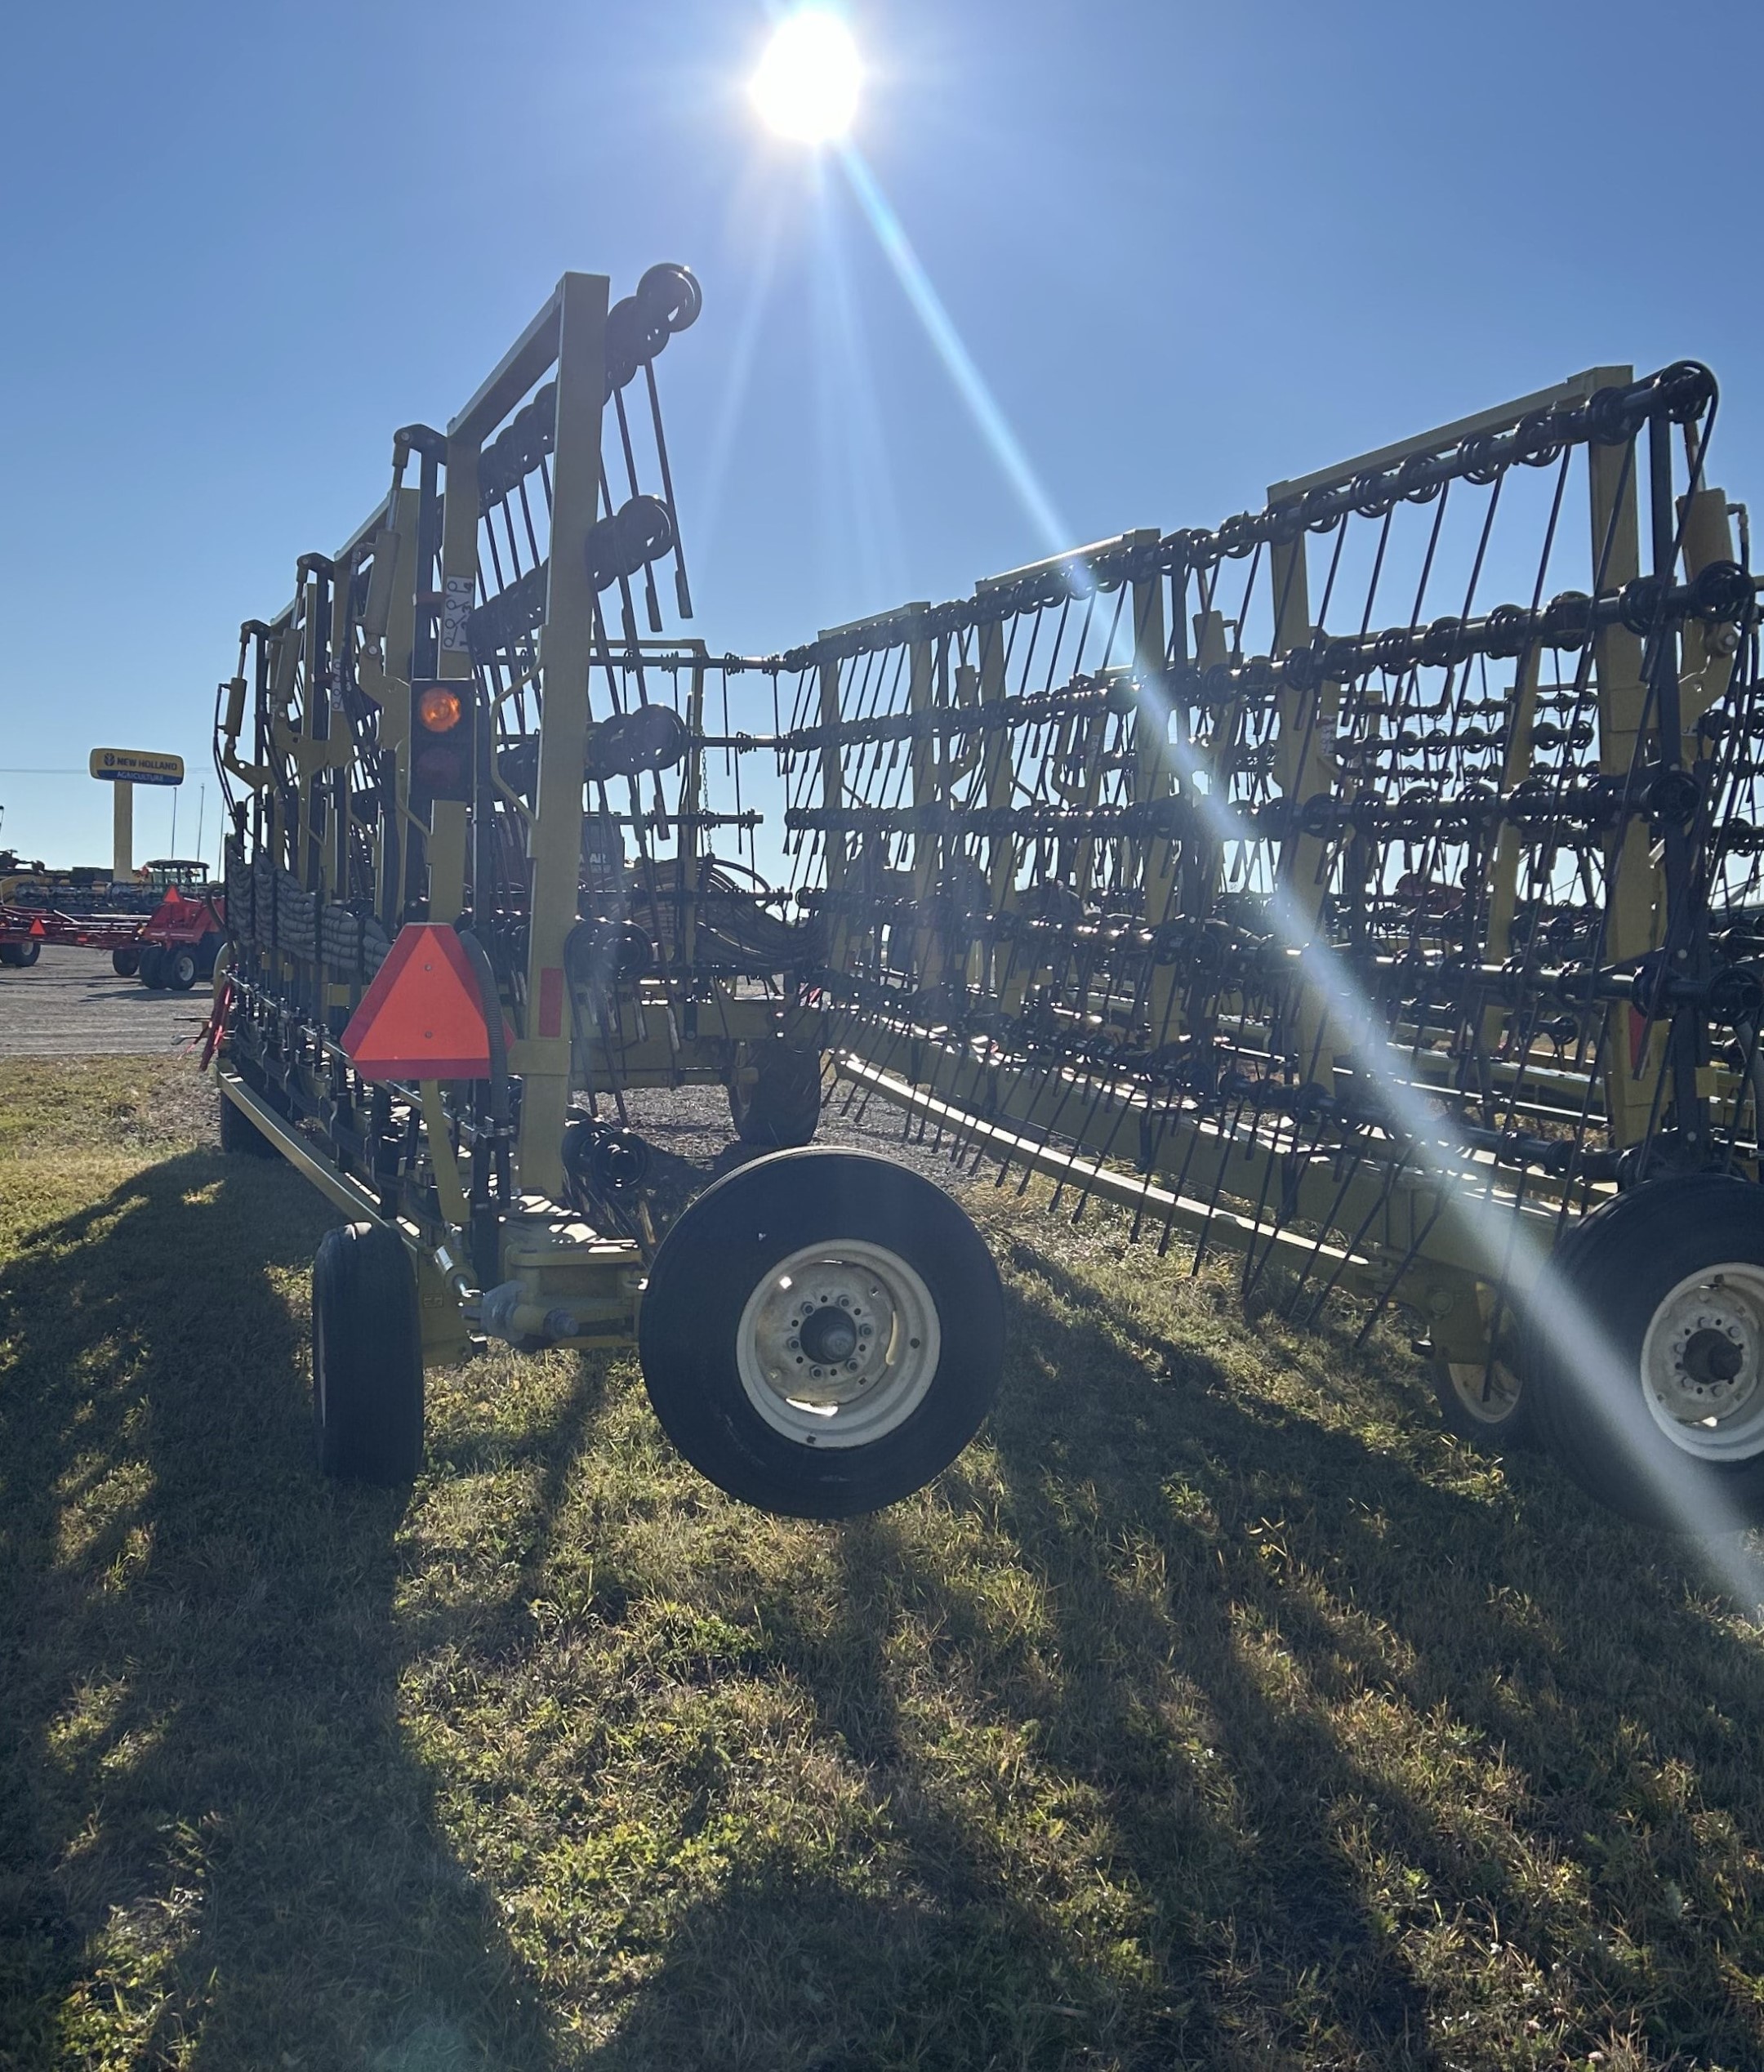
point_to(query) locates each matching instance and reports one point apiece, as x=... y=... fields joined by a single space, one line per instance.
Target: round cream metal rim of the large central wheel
x=838 y=1344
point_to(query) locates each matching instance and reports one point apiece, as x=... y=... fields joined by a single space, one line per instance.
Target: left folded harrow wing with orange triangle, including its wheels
x=480 y=890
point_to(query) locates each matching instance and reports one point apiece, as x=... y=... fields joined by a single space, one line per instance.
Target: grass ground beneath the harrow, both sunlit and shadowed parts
x=1214 y=1710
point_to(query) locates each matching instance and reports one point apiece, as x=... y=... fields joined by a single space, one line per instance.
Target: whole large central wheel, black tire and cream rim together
x=903 y=1269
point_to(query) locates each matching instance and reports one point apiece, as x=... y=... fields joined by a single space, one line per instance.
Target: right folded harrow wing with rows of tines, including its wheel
x=1369 y=888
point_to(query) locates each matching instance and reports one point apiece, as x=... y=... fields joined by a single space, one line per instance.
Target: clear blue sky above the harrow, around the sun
x=1193 y=252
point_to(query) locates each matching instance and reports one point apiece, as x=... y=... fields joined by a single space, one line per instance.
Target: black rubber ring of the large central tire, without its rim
x=718 y=1255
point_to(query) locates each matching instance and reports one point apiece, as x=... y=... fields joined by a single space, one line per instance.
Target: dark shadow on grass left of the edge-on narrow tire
x=215 y=1849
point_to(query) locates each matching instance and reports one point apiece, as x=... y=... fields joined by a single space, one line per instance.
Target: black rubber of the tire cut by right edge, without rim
x=1620 y=1265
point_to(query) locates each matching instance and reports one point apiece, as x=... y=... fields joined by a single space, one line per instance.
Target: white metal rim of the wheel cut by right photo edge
x=1703 y=1364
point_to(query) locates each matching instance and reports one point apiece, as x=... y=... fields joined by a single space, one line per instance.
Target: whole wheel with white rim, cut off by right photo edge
x=1645 y=1354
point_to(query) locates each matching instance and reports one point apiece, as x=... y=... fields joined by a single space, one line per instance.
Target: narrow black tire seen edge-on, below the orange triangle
x=368 y=1358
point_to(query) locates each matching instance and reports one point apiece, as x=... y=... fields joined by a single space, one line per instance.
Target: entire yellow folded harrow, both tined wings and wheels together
x=1365 y=888
